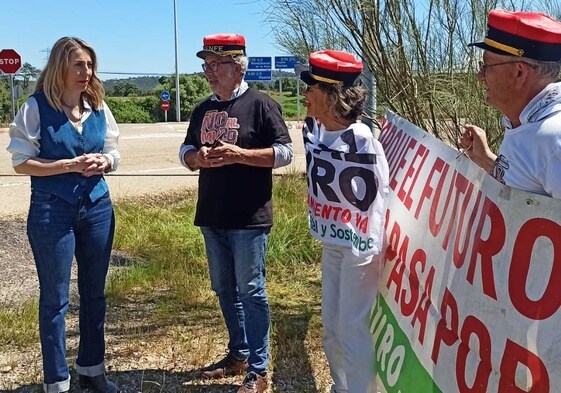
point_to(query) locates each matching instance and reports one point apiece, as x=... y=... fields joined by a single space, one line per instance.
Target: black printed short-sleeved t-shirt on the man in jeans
x=236 y=196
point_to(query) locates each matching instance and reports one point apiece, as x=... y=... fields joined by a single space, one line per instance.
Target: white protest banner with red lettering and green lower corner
x=472 y=275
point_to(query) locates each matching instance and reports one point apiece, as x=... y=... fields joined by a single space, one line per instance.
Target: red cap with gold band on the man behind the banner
x=532 y=35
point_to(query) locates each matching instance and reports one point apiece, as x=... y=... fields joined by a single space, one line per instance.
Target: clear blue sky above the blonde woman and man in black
x=133 y=36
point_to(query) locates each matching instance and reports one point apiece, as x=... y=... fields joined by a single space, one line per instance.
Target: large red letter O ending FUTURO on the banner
x=550 y=301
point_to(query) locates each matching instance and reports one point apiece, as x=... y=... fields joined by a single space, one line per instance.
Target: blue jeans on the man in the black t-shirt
x=236 y=260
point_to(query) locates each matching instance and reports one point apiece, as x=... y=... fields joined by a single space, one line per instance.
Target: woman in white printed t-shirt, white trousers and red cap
x=347 y=174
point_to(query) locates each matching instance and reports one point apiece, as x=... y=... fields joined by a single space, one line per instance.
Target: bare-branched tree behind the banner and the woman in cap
x=417 y=51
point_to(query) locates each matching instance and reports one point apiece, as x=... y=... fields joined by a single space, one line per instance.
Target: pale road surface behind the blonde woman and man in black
x=149 y=164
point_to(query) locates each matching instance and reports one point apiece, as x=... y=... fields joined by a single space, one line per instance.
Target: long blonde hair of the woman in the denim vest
x=53 y=77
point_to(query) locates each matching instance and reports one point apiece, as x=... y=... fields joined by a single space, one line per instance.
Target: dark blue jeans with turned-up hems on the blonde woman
x=57 y=232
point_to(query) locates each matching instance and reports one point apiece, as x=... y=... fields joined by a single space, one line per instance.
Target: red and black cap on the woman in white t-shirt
x=331 y=66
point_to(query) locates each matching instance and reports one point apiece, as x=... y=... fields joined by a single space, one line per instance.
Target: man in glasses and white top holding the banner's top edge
x=520 y=67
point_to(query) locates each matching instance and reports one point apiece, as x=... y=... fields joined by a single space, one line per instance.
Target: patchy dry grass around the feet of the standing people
x=164 y=323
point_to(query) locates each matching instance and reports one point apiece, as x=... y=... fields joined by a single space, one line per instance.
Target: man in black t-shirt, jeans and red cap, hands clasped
x=236 y=137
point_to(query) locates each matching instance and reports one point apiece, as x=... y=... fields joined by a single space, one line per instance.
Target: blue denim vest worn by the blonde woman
x=60 y=140
